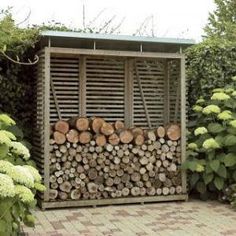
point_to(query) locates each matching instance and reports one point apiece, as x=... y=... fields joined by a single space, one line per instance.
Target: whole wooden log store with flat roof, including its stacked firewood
x=110 y=119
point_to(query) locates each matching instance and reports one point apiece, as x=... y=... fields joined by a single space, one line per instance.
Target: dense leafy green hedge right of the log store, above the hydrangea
x=210 y=64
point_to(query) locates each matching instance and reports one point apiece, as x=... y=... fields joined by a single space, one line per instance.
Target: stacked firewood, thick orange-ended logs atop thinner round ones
x=94 y=159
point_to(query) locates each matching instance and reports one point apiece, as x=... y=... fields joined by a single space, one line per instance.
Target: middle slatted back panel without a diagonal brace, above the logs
x=105 y=88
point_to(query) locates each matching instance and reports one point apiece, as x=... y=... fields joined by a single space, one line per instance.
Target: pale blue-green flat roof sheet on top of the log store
x=111 y=37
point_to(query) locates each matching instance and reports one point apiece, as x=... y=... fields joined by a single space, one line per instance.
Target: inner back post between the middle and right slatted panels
x=129 y=92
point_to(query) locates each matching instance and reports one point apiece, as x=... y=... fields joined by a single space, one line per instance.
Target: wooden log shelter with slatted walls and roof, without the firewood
x=137 y=80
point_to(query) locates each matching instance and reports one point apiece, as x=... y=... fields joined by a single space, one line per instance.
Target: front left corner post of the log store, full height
x=46 y=90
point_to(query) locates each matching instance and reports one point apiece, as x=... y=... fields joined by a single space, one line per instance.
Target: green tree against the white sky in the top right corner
x=222 y=22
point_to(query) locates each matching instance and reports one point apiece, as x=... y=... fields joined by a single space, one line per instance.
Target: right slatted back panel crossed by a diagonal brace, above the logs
x=151 y=73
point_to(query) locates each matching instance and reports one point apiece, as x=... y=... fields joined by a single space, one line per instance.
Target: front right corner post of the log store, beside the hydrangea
x=183 y=120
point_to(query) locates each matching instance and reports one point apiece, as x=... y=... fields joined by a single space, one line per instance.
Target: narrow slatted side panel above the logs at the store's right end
x=174 y=90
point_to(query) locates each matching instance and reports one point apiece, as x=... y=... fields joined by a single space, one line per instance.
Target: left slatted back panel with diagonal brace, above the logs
x=65 y=77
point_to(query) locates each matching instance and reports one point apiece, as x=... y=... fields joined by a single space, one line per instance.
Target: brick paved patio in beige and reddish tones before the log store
x=176 y=218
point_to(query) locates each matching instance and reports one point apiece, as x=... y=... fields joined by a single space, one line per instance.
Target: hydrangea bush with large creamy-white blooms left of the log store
x=19 y=181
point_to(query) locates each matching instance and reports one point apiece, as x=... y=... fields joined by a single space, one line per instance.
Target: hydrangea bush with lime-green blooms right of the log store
x=212 y=143
